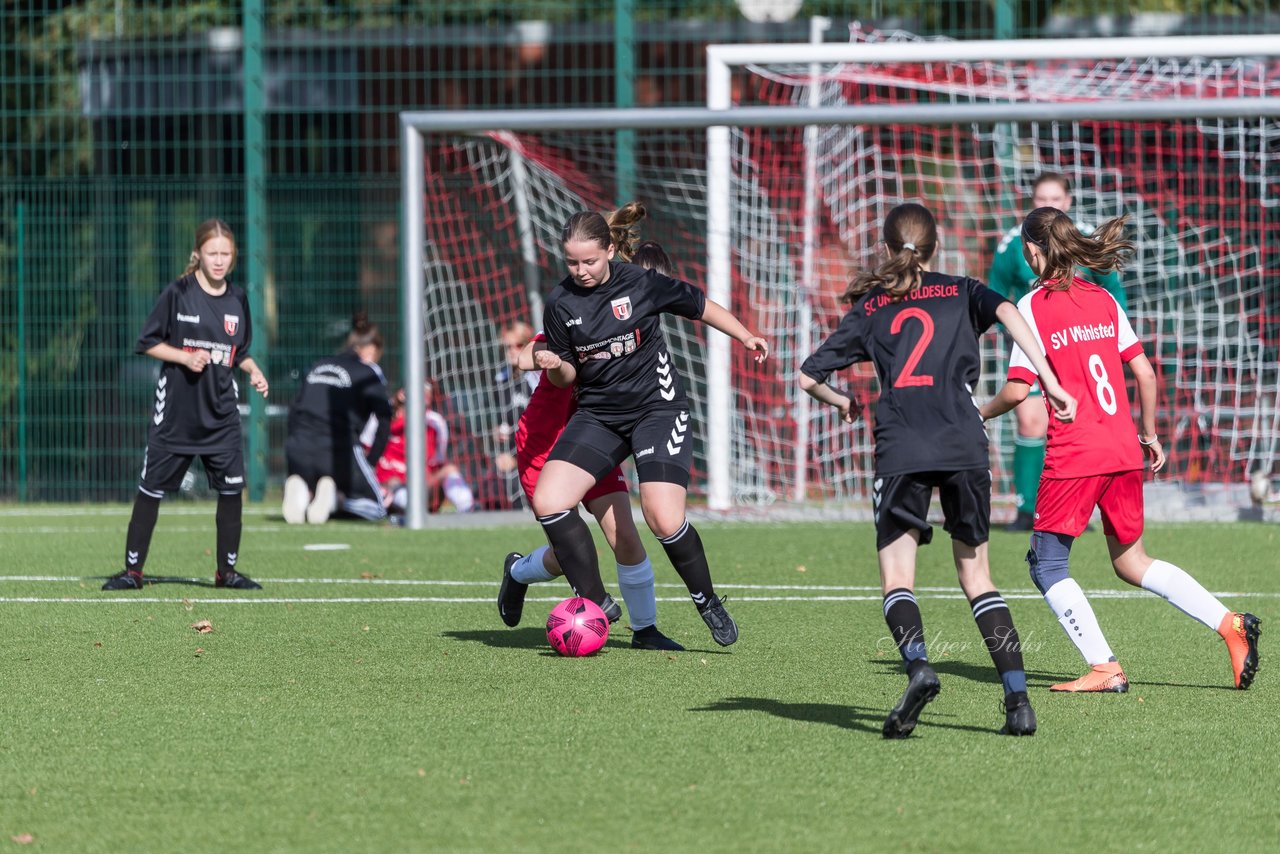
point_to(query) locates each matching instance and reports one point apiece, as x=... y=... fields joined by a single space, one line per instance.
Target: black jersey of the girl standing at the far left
x=198 y=413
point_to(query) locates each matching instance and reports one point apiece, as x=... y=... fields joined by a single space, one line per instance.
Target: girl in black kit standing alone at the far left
x=200 y=330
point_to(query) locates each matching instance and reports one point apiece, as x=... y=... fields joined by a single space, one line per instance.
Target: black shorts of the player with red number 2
x=902 y=505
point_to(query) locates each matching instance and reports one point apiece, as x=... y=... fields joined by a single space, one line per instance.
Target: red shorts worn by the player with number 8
x=1064 y=506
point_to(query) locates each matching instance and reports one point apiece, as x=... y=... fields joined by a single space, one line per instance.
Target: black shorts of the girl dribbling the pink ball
x=661 y=441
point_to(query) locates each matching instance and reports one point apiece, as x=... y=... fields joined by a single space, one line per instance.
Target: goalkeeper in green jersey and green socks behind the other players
x=1013 y=278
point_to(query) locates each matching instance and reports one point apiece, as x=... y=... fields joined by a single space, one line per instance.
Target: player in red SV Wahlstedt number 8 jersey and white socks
x=1098 y=460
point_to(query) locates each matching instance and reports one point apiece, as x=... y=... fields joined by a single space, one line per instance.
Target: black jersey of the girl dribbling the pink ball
x=612 y=335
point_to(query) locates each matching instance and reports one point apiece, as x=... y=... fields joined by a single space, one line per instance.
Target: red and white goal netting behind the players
x=1204 y=198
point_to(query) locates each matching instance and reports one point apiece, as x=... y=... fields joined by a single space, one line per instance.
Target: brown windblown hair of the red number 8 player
x=1066 y=249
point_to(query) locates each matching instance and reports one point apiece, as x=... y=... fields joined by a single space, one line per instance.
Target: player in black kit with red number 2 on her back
x=921 y=330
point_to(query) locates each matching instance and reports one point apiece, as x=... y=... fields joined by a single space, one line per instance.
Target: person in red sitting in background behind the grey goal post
x=444 y=479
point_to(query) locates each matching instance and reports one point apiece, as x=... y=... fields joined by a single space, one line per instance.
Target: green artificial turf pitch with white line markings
x=336 y=711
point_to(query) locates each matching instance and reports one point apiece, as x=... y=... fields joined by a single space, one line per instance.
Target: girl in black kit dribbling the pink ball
x=604 y=327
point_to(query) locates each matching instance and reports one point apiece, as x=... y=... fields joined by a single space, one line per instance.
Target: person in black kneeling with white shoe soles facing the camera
x=342 y=400
